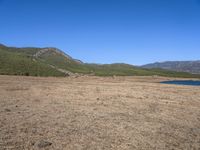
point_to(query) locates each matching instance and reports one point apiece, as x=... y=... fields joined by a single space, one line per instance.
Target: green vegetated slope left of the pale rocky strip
x=15 y=62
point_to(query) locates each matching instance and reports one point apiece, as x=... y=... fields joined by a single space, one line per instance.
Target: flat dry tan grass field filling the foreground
x=97 y=113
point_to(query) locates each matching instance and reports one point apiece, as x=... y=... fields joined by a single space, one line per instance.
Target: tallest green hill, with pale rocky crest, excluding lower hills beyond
x=36 y=61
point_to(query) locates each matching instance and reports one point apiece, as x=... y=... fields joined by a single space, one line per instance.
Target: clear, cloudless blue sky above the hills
x=105 y=31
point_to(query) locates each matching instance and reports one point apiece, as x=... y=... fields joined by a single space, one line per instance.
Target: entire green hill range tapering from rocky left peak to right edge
x=51 y=61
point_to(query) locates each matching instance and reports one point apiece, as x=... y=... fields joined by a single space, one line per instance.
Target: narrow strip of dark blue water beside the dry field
x=183 y=82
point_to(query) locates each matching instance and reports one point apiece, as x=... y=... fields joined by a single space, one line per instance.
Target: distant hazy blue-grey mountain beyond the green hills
x=180 y=66
